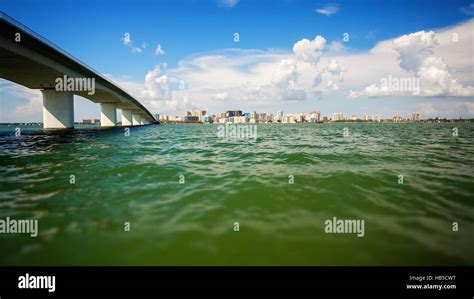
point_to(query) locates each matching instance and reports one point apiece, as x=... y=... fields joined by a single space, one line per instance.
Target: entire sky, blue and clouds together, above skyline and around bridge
x=264 y=56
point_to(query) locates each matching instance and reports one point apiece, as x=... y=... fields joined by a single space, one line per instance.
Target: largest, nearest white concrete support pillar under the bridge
x=58 y=109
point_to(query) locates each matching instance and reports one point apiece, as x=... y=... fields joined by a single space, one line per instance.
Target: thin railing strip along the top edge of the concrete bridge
x=12 y=21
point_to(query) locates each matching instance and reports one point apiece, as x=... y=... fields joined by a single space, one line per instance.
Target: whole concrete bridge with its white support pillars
x=32 y=61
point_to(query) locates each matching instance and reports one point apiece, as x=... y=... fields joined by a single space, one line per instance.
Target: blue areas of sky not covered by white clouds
x=93 y=31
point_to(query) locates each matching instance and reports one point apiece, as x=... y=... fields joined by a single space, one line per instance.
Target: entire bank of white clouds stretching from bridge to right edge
x=248 y=78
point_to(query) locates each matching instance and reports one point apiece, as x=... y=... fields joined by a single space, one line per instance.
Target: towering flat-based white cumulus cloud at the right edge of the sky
x=418 y=60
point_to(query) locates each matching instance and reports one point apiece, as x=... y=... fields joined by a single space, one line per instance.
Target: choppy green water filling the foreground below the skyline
x=136 y=179
